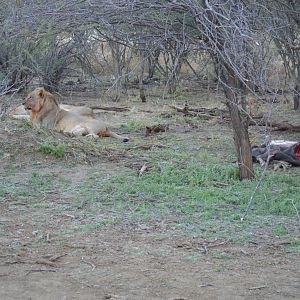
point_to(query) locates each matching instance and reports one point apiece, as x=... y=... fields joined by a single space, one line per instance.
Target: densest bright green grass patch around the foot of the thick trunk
x=204 y=188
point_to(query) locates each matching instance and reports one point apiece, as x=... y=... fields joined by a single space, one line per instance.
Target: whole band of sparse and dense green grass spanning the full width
x=198 y=196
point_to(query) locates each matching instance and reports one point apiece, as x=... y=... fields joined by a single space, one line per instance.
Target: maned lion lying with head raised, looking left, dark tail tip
x=46 y=112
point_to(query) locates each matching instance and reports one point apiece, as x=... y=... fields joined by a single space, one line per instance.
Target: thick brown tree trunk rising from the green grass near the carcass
x=240 y=128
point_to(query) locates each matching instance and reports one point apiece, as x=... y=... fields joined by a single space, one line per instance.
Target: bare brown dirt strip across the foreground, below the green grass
x=127 y=263
